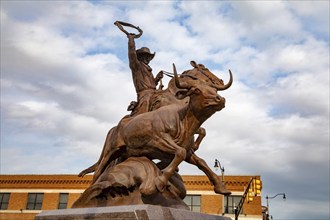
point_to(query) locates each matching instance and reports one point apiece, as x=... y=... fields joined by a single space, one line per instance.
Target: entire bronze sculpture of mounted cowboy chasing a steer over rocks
x=161 y=126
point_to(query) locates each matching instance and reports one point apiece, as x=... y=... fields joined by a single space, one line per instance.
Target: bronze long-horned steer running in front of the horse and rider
x=167 y=133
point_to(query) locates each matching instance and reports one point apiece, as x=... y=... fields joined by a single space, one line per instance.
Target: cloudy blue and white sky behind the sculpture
x=65 y=82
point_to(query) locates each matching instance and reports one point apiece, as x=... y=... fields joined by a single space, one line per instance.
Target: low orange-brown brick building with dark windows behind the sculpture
x=24 y=196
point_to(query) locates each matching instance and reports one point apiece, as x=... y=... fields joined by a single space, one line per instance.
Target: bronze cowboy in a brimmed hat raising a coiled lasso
x=144 y=81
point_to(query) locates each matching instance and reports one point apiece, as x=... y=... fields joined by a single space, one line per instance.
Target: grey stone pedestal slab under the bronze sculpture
x=131 y=212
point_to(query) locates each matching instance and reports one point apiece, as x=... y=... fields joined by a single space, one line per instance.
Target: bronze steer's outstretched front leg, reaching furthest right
x=192 y=158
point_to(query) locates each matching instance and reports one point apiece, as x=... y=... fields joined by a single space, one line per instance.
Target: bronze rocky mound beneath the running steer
x=132 y=182
